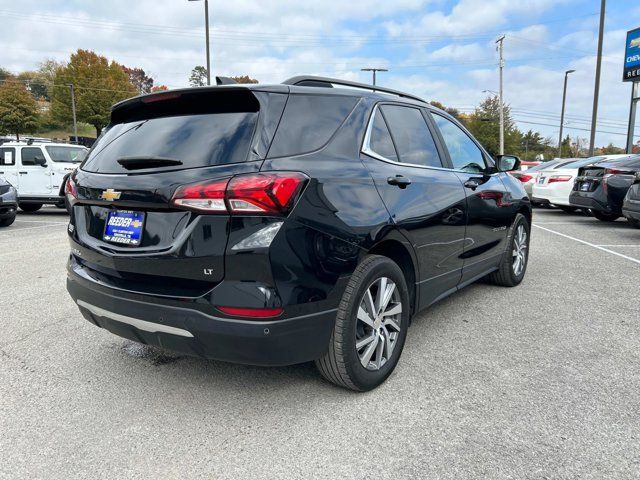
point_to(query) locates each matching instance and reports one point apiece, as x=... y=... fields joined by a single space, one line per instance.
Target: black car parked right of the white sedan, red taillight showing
x=602 y=187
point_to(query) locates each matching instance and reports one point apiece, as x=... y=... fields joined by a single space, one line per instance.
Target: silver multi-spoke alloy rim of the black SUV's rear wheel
x=378 y=323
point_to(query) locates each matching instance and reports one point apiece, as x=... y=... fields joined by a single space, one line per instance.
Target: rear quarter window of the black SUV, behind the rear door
x=309 y=122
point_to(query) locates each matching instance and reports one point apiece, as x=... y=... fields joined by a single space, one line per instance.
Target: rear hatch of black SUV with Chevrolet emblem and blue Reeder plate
x=127 y=233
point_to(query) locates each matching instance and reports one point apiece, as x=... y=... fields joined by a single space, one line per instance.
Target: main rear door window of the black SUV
x=411 y=136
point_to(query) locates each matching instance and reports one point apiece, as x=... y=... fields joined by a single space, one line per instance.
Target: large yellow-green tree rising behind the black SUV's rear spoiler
x=98 y=84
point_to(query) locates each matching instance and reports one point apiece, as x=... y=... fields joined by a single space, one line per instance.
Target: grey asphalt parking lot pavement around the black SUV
x=541 y=380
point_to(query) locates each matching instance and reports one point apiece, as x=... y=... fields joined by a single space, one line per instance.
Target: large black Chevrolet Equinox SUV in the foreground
x=274 y=225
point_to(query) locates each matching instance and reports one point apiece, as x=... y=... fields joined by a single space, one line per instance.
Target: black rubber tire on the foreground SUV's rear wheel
x=341 y=364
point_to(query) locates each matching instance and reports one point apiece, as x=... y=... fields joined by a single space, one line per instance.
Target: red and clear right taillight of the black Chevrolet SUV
x=270 y=193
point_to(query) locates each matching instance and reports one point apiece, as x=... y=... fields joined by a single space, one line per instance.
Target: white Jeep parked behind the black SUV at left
x=39 y=171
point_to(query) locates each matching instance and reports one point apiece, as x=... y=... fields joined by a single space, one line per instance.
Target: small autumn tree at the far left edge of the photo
x=18 y=109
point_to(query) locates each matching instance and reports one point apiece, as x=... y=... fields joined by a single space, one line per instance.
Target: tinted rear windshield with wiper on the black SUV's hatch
x=194 y=140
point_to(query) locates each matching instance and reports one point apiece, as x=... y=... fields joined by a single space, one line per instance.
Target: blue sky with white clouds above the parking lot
x=439 y=49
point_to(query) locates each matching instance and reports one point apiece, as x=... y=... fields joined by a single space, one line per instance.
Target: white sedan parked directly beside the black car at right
x=554 y=186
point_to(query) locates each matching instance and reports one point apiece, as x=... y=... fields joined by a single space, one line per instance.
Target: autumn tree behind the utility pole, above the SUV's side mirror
x=484 y=124
